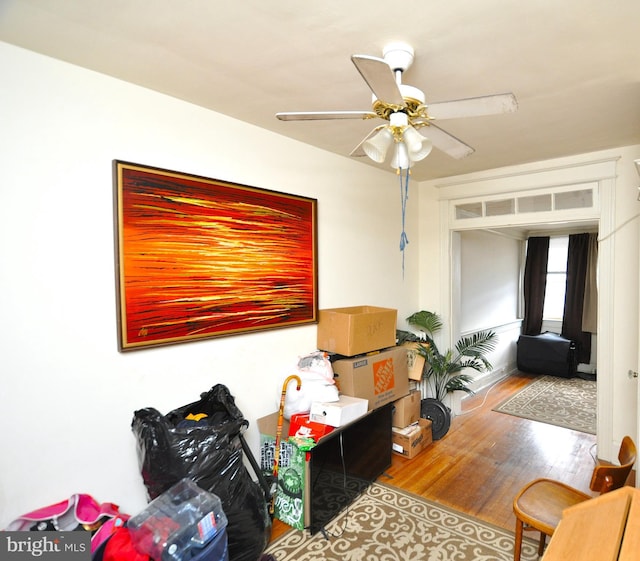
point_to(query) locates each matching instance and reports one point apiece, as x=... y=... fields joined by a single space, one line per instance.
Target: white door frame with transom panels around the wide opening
x=460 y=213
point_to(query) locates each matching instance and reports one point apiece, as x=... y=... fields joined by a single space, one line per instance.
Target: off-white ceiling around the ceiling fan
x=573 y=65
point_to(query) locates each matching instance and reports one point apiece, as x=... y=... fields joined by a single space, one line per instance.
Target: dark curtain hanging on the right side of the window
x=577 y=260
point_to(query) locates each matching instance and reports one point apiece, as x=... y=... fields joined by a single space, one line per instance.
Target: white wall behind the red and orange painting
x=68 y=396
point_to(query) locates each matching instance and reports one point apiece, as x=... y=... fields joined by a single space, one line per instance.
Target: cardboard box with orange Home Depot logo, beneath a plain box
x=380 y=377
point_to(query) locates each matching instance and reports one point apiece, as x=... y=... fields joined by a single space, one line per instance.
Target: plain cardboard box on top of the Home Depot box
x=356 y=330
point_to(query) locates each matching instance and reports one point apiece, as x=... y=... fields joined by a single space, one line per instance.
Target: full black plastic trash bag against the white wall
x=208 y=451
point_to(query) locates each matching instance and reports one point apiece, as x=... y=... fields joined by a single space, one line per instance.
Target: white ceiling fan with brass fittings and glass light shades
x=407 y=113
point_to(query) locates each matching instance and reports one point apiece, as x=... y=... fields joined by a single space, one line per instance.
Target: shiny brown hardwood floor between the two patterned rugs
x=484 y=459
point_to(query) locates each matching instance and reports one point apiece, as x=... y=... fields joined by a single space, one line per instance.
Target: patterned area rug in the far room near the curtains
x=564 y=402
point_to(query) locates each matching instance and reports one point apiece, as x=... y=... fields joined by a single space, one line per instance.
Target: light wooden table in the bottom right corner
x=606 y=528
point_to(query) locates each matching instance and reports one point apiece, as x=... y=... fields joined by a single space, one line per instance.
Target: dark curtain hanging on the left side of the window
x=535 y=284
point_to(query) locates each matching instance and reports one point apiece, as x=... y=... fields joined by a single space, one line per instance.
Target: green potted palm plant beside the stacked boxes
x=443 y=373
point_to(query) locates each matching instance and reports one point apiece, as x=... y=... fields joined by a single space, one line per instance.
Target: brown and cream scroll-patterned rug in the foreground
x=390 y=524
